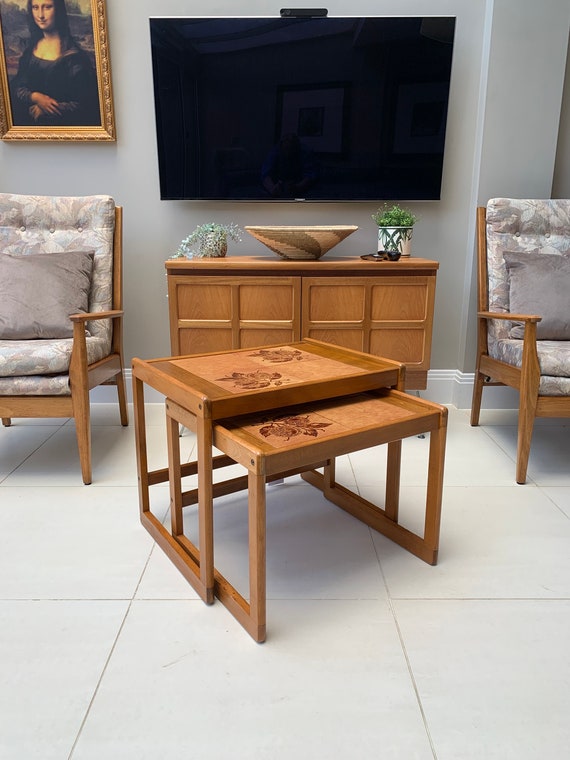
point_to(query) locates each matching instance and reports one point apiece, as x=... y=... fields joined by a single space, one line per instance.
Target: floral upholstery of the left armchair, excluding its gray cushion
x=42 y=224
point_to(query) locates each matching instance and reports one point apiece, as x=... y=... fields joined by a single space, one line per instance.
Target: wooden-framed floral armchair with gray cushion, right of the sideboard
x=524 y=310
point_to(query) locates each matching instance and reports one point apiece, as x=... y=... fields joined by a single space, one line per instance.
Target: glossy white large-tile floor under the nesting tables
x=107 y=654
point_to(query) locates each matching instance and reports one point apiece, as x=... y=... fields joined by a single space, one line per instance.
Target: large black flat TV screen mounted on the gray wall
x=315 y=109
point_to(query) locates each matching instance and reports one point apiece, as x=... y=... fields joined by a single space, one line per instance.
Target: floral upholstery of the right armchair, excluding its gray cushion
x=526 y=225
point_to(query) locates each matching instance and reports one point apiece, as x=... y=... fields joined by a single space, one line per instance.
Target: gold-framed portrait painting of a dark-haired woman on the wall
x=55 y=72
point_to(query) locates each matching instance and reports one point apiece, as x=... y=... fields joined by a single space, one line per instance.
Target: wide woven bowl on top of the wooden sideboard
x=301 y=243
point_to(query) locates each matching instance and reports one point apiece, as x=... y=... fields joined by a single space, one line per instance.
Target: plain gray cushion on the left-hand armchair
x=38 y=292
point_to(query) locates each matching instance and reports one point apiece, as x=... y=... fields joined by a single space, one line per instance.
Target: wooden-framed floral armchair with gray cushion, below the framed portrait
x=60 y=309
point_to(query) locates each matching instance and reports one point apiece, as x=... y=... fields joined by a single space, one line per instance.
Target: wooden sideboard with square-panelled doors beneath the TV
x=382 y=308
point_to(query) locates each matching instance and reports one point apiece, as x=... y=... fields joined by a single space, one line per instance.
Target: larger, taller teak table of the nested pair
x=201 y=386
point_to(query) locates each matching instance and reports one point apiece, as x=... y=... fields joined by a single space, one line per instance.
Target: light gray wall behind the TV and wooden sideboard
x=503 y=138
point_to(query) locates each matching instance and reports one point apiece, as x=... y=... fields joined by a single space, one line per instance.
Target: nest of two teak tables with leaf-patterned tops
x=278 y=411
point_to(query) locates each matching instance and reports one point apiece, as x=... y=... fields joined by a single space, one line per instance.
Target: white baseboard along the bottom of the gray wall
x=445 y=386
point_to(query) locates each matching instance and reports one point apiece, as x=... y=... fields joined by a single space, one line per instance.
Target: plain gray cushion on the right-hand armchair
x=539 y=283
